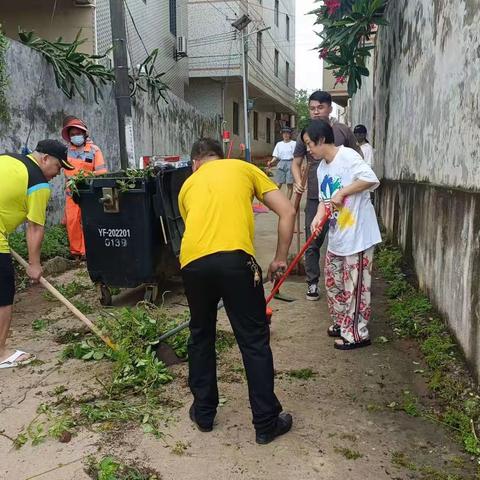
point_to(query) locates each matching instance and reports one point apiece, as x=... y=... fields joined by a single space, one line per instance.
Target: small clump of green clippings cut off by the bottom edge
x=110 y=468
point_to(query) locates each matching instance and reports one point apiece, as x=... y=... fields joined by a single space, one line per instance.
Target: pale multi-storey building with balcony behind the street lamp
x=215 y=66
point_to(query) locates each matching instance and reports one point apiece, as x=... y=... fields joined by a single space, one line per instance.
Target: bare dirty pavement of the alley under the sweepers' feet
x=346 y=421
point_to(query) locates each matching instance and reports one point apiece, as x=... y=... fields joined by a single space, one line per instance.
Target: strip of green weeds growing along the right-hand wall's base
x=413 y=316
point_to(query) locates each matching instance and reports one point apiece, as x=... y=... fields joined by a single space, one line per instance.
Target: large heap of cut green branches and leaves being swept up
x=131 y=388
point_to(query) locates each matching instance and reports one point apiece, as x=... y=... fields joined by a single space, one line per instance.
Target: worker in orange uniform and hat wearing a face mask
x=85 y=156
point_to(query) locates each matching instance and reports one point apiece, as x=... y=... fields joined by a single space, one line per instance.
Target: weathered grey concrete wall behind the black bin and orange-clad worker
x=38 y=106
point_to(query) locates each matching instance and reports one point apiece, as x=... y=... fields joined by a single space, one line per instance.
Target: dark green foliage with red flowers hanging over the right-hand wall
x=348 y=25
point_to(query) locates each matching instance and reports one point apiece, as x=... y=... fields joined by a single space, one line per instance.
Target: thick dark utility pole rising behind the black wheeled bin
x=122 y=89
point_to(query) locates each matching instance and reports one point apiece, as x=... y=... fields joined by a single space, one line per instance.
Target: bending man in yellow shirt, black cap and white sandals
x=24 y=195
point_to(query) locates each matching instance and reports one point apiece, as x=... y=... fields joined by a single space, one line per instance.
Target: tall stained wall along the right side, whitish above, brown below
x=427 y=134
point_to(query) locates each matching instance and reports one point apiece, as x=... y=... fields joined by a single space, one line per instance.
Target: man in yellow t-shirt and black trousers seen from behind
x=217 y=261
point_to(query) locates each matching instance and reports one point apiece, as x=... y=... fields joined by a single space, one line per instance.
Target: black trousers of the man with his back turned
x=229 y=276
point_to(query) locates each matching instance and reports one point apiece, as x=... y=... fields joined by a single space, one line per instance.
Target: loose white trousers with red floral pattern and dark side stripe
x=348 y=280
